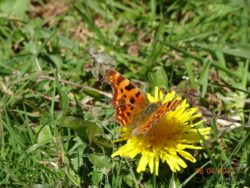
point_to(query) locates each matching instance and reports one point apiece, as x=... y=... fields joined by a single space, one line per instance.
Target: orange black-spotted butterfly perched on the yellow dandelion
x=132 y=106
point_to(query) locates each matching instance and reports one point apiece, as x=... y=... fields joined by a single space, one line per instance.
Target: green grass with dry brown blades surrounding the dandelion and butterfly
x=56 y=126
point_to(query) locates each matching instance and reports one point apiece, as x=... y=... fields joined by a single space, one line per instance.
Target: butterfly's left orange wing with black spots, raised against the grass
x=128 y=99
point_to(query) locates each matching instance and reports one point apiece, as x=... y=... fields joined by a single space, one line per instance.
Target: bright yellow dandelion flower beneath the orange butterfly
x=168 y=139
